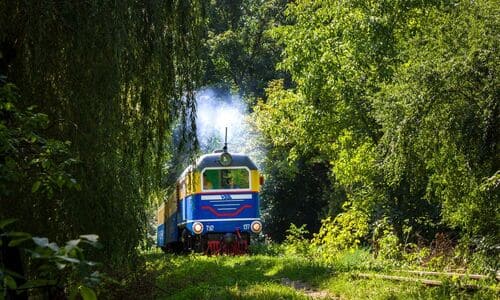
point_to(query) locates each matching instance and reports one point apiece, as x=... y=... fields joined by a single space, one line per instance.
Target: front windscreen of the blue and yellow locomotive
x=226 y=179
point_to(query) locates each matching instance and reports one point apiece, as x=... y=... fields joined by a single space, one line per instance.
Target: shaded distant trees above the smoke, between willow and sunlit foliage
x=240 y=55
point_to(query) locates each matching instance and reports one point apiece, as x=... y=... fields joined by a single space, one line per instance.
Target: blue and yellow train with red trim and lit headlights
x=214 y=207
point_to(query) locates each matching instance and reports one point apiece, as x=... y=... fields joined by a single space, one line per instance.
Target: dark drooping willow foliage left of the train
x=113 y=78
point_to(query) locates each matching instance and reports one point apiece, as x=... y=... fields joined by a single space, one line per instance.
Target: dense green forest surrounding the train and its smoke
x=379 y=119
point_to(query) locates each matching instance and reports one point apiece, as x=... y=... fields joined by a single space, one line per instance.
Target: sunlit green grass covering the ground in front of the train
x=260 y=277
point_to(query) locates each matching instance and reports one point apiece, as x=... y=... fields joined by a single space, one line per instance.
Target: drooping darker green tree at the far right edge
x=440 y=113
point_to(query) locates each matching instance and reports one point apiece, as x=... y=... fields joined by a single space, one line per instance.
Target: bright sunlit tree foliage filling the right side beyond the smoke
x=399 y=98
